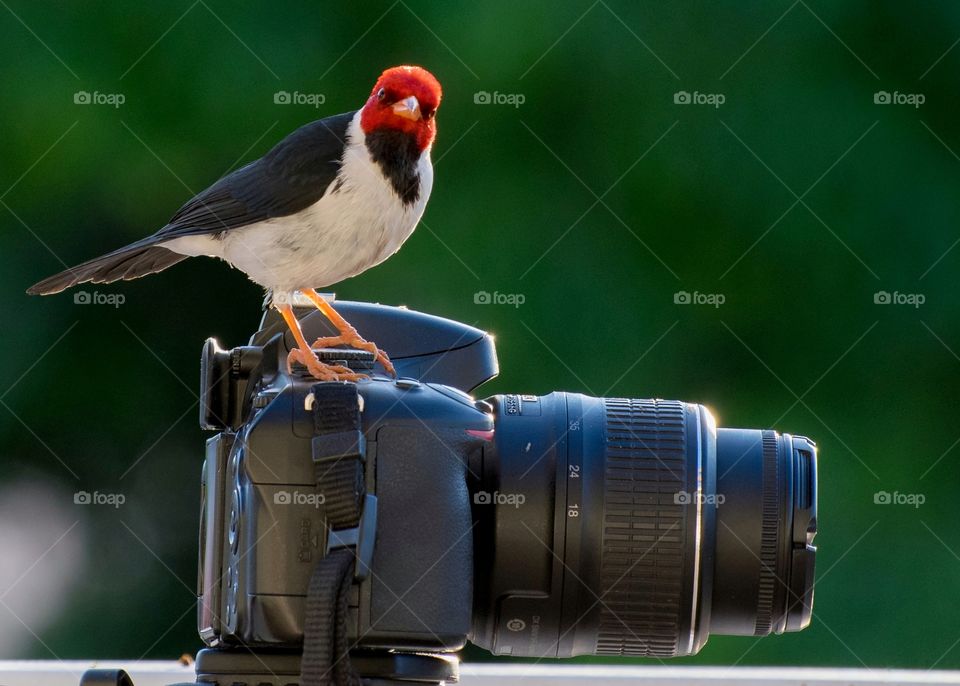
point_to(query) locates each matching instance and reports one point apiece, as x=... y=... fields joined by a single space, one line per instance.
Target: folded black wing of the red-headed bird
x=291 y=177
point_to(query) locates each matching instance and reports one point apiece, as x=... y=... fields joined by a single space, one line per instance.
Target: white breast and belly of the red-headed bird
x=347 y=231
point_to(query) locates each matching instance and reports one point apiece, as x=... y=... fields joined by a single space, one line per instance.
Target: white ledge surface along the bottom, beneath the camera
x=67 y=673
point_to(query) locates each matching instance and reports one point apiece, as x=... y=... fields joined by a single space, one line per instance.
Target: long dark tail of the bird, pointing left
x=126 y=263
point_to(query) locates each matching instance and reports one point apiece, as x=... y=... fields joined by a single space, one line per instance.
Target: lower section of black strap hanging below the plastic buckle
x=326 y=651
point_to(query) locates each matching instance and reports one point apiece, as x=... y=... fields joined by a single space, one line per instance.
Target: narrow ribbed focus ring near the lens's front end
x=769 y=535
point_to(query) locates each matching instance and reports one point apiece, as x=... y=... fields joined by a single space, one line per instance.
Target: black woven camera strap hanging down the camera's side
x=338 y=453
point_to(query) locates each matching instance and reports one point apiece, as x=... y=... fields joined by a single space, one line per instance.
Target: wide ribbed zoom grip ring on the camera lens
x=643 y=528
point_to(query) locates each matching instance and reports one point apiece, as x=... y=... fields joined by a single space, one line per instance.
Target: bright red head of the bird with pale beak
x=405 y=99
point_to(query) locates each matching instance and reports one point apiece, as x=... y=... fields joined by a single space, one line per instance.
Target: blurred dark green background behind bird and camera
x=597 y=199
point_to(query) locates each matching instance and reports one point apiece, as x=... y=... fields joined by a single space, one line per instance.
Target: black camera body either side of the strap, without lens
x=418 y=447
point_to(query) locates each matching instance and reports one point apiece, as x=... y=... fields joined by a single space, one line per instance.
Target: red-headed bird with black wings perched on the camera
x=331 y=200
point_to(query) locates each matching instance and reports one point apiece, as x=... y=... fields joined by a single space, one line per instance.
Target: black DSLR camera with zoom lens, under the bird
x=371 y=530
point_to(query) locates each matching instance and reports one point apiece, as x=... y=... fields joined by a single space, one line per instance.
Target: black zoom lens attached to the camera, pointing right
x=637 y=528
